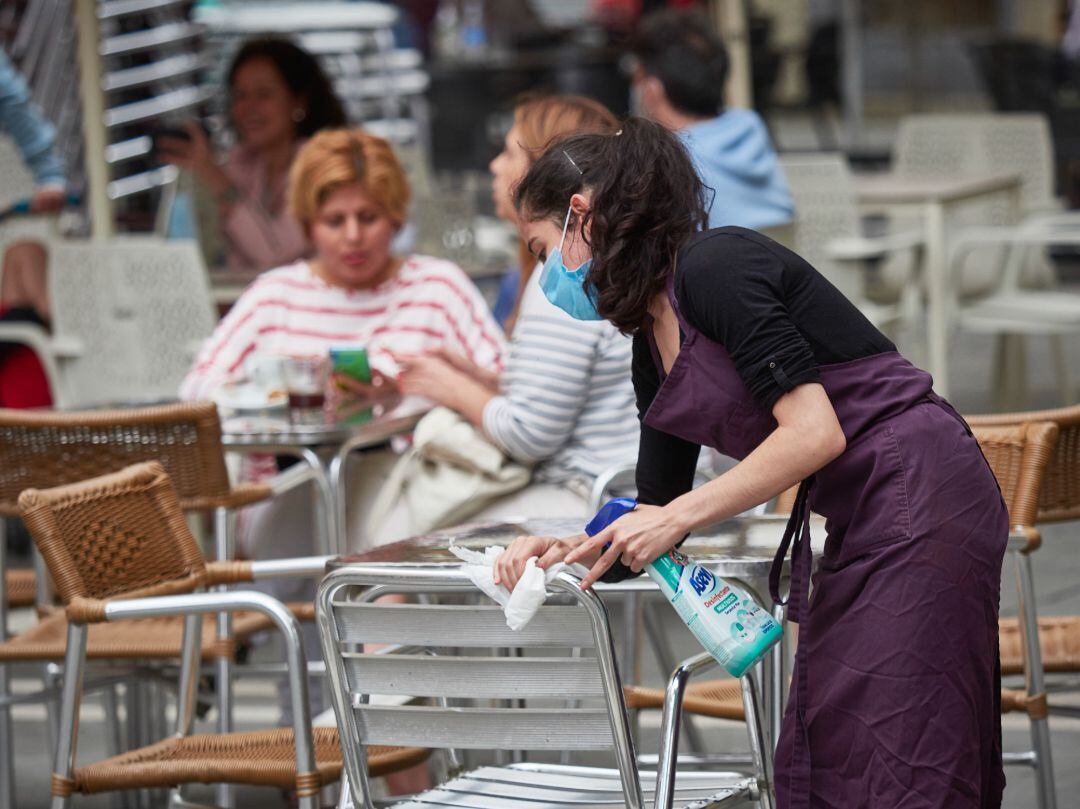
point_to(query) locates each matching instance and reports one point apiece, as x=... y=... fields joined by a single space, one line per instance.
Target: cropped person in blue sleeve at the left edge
x=23 y=293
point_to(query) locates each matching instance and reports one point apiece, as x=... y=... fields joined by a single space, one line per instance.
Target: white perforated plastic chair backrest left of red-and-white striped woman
x=131 y=315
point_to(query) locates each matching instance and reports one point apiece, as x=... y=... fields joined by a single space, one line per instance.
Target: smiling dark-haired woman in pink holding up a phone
x=279 y=97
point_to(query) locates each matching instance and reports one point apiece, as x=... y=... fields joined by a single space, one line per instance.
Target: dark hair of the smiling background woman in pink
x=302 y=75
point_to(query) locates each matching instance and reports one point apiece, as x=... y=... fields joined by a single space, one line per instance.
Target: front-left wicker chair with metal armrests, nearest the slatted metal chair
x=118 y=547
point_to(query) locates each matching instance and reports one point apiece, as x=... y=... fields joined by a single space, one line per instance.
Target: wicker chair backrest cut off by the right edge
x=1060 y=497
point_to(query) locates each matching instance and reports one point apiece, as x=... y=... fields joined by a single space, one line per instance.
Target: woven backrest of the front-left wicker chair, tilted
x=118 y=534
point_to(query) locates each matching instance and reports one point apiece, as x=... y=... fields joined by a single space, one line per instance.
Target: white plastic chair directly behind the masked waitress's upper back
x=828 y=234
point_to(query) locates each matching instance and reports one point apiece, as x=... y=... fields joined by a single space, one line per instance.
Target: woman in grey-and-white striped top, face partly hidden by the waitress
x=564 y=402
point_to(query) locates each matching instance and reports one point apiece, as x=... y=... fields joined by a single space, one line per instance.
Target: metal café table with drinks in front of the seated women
x=326 y=448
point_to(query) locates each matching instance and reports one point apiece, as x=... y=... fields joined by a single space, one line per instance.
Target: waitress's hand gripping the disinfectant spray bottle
x=637 y=538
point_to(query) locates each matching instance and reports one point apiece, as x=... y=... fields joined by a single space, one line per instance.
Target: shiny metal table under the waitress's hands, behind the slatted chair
x=741 y=549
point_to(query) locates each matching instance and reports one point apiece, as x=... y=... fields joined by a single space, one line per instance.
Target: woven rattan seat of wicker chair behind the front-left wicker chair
x=151 y=639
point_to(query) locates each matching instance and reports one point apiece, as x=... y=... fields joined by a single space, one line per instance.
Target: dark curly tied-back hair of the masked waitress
x=646 y=203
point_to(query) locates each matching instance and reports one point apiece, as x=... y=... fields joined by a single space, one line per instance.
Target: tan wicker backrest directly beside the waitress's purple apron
x=1019 y=455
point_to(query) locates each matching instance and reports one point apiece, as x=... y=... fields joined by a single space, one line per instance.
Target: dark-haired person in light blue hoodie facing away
x=679 y=83
